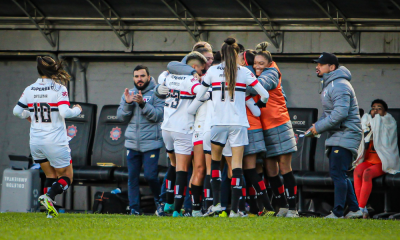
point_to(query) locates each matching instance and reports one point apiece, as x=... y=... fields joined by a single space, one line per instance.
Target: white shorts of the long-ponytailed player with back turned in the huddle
x=236 y=136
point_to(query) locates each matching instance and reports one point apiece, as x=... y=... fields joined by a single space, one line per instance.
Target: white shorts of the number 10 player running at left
x=59 y=156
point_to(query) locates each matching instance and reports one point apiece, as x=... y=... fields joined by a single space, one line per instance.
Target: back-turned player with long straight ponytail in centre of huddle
x=229 y=120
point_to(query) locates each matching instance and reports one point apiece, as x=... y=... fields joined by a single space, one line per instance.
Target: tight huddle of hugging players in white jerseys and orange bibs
x=218 y=107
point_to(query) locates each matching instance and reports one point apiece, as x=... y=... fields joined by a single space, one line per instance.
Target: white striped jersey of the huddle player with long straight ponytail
x=227 y=110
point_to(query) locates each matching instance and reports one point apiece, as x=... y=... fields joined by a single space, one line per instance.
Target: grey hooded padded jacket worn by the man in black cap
x=341 y=116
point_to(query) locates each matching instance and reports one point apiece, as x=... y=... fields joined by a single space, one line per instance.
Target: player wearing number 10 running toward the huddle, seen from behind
x=45 y=104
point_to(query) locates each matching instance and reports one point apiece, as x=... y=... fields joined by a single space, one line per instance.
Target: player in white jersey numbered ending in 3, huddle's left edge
x=177 y=127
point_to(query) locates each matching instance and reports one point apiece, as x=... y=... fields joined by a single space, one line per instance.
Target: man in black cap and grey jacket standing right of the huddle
x=341 y=119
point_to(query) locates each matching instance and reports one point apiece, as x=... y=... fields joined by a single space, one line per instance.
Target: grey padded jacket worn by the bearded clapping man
x=144 y=130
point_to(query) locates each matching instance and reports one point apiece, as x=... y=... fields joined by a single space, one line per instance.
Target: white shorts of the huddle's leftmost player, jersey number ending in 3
x=178 y=142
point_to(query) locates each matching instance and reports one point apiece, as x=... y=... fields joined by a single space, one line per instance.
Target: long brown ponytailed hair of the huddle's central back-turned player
x=229 y=52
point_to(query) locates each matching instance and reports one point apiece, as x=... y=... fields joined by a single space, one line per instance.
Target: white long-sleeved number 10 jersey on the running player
x=43 y=99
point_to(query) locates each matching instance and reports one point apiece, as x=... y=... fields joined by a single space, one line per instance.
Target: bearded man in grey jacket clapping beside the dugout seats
x=143 y=136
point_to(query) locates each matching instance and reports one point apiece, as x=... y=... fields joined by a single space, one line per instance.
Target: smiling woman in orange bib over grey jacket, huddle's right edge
x=278 y=133
